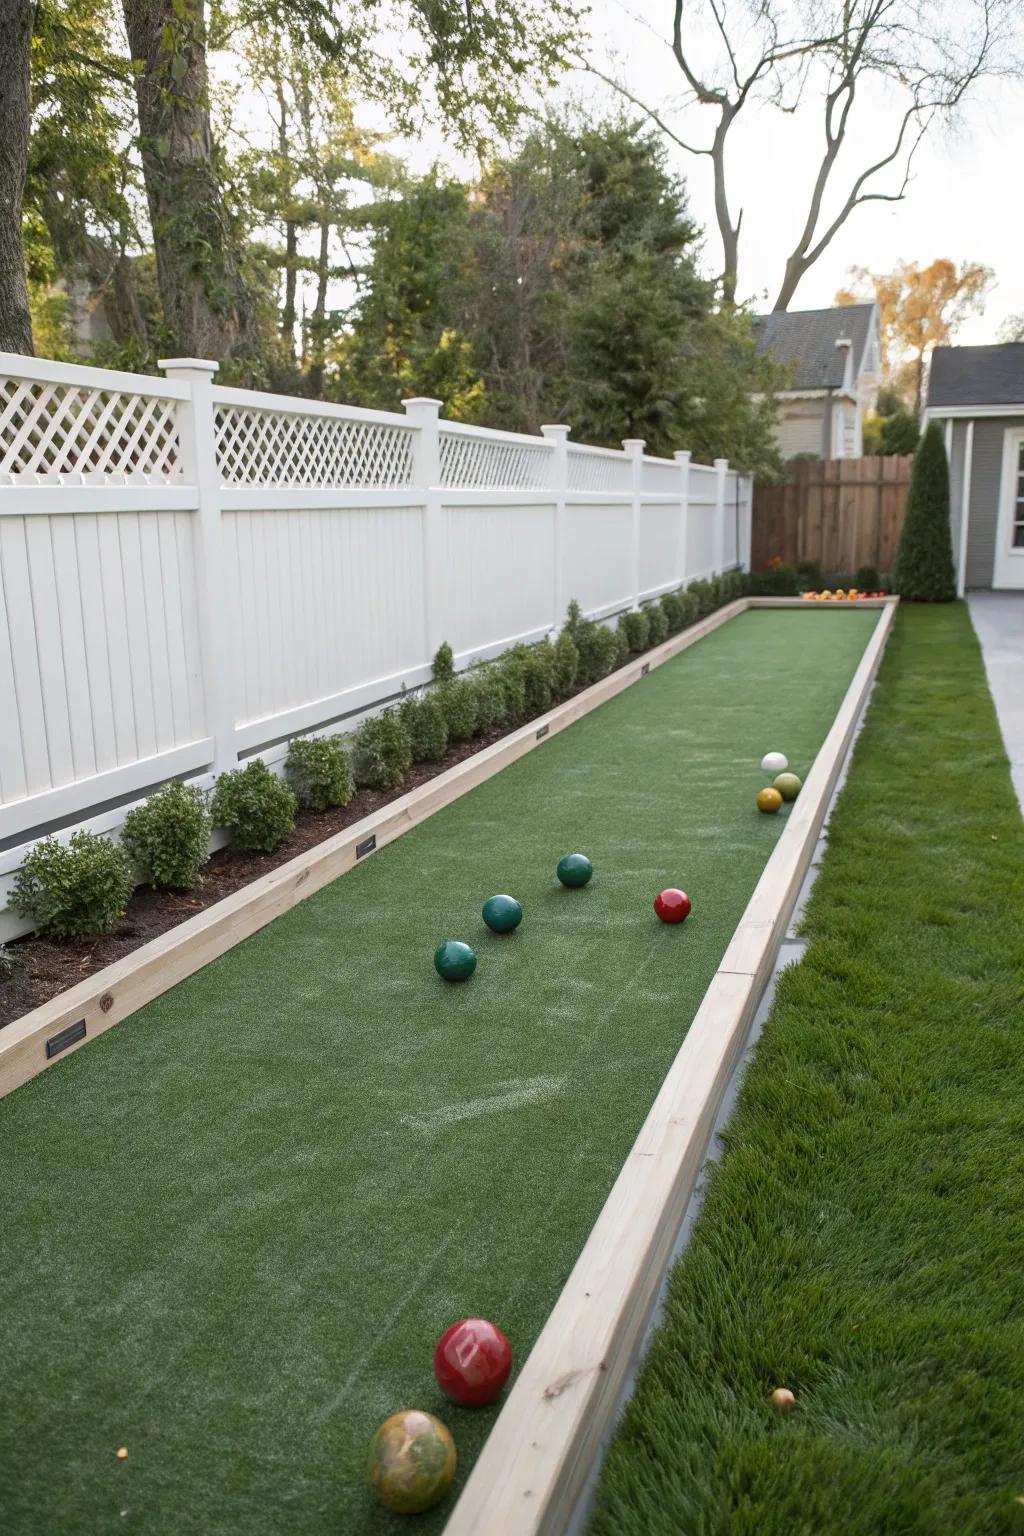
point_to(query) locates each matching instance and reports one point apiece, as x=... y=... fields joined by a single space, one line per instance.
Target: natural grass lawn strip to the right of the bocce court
x=864 y=1239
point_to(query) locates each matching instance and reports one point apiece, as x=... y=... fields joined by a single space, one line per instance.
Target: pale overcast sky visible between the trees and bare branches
x=965 y=199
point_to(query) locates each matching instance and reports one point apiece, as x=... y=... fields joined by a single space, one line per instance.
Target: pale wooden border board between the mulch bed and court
x=76 y=1018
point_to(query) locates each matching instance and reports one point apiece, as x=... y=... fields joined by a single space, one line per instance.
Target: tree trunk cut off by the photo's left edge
x=16 y=36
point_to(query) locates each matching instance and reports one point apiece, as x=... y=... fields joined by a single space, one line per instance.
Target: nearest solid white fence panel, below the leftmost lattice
x=102 y=666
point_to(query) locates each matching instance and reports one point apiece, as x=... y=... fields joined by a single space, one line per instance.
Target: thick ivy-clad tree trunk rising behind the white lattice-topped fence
x=205 y=297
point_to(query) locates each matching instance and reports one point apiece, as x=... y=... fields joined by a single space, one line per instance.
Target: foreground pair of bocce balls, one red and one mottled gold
x=412 y=1455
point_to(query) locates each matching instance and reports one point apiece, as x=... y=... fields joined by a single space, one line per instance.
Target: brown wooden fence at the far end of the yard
x=842 y=514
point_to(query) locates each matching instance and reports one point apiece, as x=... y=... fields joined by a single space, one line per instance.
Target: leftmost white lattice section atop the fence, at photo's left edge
x=97 y=434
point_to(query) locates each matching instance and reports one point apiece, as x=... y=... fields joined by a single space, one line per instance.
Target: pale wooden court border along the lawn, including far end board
x=550 y=1432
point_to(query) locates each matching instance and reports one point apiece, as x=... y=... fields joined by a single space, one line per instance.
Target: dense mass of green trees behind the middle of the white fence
x=563 y=288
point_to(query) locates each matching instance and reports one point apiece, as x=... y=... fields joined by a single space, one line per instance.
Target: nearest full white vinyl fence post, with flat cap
x=199 y=463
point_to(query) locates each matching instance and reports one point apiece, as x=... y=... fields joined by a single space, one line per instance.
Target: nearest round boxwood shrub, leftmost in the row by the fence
x=76 y=889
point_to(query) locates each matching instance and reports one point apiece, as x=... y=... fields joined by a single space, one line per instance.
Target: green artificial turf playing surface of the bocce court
x=236 y=1226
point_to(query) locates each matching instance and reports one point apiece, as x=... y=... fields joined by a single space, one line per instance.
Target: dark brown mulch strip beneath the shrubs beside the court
x=44 y=970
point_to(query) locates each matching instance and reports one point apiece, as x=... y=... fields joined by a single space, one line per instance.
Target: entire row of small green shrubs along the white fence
x=84 y=887
